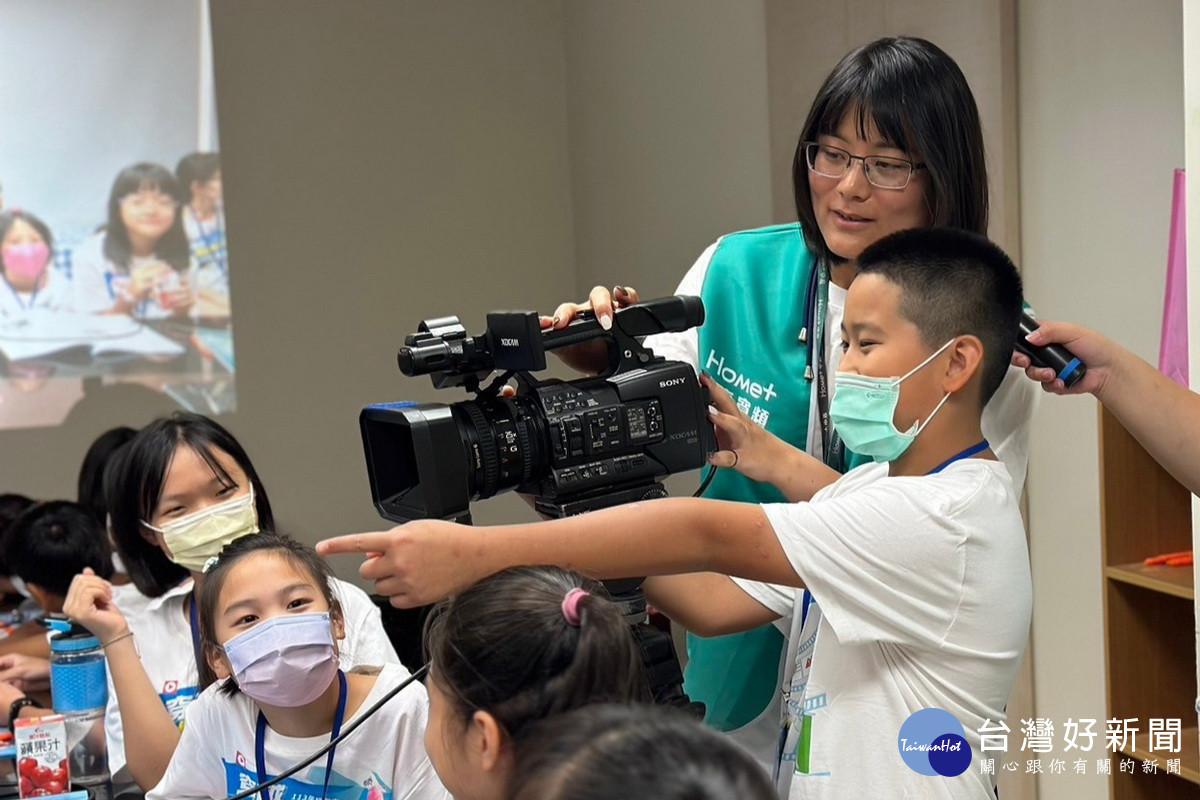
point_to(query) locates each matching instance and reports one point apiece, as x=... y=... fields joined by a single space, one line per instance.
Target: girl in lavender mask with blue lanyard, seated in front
x=271 y=631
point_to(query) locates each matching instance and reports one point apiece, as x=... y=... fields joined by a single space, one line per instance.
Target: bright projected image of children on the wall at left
x=115 y=263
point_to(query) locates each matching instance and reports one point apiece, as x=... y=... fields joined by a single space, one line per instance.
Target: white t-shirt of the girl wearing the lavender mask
x=383 y=760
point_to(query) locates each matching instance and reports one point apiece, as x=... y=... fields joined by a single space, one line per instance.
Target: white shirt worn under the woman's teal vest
x=1006 y=419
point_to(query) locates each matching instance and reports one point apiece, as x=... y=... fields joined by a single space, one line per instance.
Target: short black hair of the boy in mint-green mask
x=955 y=284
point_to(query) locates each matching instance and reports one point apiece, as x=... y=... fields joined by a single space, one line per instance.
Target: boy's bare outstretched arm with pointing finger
x=425 y=561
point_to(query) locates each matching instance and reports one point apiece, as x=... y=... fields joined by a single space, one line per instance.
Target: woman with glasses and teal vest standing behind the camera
x=892 y=142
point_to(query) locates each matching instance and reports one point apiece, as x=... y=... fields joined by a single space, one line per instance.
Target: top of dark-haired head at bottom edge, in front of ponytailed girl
x=622 y=753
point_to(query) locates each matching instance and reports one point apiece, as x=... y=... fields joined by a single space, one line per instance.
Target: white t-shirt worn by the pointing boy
x=926 y=596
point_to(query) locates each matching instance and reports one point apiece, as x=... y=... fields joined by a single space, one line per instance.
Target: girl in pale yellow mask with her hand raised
x=177 y=495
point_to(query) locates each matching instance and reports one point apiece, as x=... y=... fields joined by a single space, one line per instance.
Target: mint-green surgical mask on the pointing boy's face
x=863 y=413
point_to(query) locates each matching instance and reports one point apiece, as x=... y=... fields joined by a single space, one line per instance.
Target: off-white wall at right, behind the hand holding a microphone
x=1101 y=131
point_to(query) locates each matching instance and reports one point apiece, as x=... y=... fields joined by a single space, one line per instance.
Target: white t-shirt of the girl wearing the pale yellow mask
x=164 y=637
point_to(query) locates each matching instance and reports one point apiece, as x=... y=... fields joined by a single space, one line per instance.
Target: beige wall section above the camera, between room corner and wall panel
x=668 y=135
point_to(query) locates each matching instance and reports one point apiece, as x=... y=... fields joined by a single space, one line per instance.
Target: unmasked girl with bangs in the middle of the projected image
x=137 y=264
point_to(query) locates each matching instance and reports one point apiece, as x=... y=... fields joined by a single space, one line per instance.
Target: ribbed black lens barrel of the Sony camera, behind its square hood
x=506 y=441
